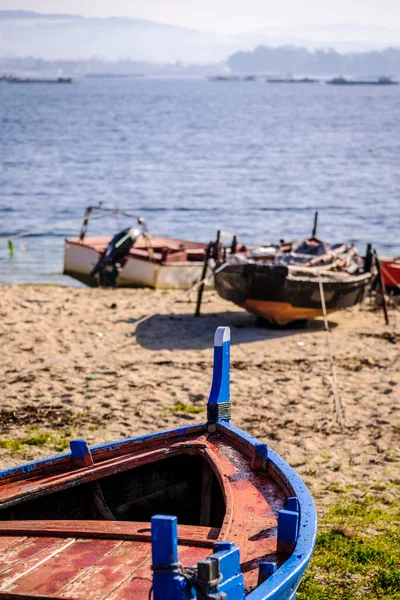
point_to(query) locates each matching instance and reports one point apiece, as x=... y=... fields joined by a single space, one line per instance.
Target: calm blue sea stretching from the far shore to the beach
x=193 y=157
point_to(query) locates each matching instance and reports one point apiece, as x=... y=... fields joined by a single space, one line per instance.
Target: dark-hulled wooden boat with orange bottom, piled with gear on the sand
x=282 y=293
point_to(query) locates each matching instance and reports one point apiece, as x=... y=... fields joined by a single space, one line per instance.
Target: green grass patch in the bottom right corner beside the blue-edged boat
x=357 y=554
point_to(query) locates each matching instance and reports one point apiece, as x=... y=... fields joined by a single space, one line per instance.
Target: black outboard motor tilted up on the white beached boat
x=115 y=257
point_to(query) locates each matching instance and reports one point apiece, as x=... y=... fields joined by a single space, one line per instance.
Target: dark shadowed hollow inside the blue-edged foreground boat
x=184 y=485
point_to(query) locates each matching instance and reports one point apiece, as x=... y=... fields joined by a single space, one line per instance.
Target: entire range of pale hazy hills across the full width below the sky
x=72 y=37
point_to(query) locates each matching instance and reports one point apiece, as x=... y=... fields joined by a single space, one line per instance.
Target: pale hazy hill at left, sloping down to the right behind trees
x=71 y=37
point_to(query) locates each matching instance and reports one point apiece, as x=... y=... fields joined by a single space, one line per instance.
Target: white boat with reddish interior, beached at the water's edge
x=152 y=261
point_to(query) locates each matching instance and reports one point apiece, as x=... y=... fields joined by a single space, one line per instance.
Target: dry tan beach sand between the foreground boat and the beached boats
x=91 y=372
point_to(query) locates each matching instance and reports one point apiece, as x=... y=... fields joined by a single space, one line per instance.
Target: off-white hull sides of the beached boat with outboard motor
x=80 y=259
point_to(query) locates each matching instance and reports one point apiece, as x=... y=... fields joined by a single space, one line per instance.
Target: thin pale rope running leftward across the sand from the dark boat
x=59 y=359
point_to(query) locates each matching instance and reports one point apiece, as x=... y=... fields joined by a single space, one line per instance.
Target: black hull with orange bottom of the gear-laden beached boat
x=282 y=295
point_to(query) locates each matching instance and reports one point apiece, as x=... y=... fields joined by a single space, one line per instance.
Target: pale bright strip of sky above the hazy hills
x=227 y=16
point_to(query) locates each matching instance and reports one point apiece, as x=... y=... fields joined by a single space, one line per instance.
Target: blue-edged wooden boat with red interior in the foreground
x=91 y=524
